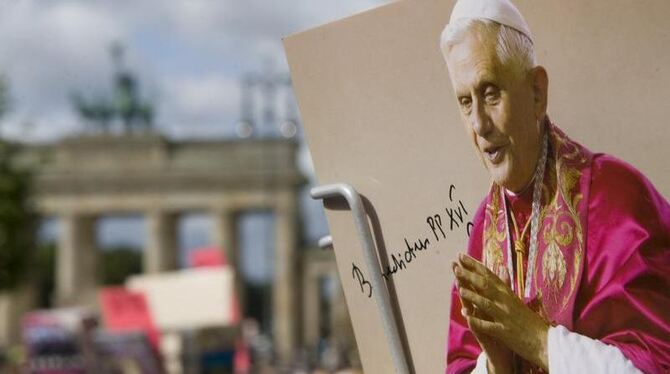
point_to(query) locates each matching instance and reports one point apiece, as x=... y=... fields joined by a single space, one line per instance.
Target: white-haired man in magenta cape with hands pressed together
x=568 y=264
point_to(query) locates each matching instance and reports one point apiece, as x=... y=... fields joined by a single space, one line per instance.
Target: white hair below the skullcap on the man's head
x=513 y=48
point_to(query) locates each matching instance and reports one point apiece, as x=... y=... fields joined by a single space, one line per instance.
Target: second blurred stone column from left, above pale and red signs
x=160 y=253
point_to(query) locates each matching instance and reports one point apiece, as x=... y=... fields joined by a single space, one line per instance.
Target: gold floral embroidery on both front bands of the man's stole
x=561 y=229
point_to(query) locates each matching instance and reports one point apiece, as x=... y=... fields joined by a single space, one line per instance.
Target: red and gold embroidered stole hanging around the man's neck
x=561 y=235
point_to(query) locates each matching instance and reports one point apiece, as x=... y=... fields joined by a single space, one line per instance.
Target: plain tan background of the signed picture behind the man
x=379 y=114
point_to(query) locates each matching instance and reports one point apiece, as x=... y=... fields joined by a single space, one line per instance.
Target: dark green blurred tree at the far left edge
x=16 y=218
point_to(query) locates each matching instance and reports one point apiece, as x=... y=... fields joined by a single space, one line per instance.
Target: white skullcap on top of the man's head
x=501 y=11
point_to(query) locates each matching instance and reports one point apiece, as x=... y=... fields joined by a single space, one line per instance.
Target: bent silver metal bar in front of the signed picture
x=365 y=237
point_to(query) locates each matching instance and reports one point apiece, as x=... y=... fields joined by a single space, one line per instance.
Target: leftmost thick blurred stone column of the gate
x=76 y=261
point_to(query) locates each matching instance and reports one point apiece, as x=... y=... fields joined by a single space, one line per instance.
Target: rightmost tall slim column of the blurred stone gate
x=285 y=311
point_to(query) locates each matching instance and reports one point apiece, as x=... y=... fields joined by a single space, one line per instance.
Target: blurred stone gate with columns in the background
x=254 y=178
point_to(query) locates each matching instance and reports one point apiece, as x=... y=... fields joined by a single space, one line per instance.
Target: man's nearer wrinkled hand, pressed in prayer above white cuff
x=503 y=315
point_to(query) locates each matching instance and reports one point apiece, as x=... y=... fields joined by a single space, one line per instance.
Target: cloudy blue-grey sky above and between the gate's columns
x=189 y=56
